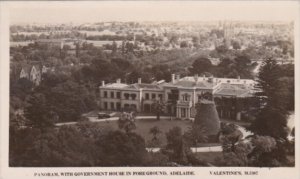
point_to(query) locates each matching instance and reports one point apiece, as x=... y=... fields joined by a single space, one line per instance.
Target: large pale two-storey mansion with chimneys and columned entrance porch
x=180 y=95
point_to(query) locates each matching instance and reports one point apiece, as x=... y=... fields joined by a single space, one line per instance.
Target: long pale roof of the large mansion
x=219 y=86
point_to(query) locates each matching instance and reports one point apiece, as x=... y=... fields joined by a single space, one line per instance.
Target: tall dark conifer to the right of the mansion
x=272 y=116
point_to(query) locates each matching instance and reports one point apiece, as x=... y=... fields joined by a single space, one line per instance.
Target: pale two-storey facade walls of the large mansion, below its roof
x=181 y=107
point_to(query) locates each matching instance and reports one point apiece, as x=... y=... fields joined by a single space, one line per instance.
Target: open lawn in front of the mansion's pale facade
x=144 y=125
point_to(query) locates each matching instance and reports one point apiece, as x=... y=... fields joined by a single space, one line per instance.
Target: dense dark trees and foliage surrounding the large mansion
x=69 y=89
